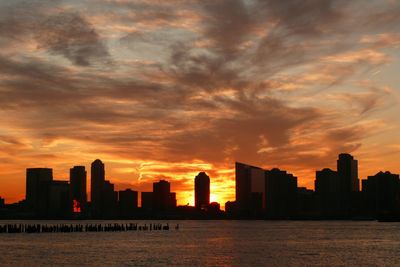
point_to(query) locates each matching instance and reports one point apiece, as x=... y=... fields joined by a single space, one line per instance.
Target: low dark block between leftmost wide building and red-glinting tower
x=59 y=201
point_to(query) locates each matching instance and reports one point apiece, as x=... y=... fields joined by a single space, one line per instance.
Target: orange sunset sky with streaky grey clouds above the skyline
x=165 y=89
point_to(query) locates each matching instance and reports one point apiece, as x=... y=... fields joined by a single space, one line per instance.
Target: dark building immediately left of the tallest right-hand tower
x=330 y=194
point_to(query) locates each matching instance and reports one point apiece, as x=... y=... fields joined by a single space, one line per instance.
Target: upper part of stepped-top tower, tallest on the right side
x=347 y=168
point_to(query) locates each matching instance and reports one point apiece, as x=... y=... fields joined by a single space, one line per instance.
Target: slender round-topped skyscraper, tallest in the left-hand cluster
x=97 y=178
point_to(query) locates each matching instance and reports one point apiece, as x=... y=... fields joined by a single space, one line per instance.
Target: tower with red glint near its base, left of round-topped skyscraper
x=77 y=180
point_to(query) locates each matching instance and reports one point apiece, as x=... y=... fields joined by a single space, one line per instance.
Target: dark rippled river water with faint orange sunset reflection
x=212 y=243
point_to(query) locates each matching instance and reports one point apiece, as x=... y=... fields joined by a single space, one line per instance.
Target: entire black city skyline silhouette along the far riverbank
x=259 y=194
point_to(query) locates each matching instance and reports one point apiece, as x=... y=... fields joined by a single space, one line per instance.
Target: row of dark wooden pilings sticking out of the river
x=90 y=227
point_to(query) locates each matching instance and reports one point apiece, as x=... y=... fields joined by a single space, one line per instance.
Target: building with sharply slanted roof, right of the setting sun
x=250 y=189
